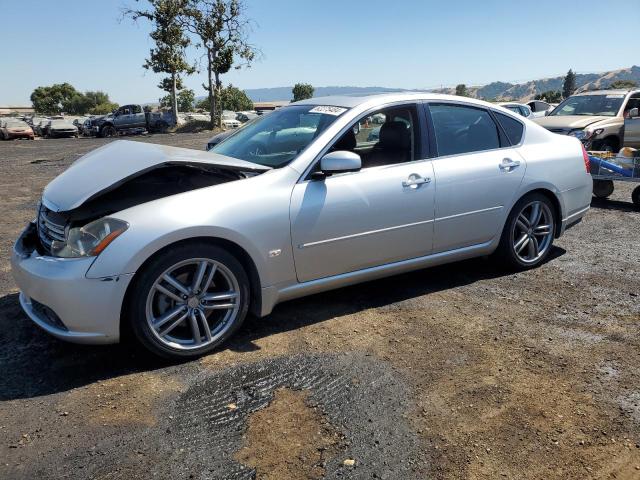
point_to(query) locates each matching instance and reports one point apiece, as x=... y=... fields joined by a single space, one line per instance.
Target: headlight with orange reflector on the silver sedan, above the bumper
x=90 y=240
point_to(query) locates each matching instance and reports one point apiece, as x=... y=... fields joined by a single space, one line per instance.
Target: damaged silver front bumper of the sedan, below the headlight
x=56 y=294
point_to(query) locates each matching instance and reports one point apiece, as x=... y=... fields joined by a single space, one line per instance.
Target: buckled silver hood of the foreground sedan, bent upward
x=109 y=166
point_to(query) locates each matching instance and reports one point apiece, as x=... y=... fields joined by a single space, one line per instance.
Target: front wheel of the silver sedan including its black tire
x=174 y=334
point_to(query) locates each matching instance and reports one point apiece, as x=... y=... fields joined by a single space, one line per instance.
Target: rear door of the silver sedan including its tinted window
x=477 y=173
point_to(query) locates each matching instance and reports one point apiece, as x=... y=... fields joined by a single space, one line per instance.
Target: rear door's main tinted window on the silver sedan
x=463 y=129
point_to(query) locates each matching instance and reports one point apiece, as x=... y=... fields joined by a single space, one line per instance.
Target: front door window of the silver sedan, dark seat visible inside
x=385 y=137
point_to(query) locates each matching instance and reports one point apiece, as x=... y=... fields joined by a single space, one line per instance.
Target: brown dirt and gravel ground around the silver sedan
x=448 y=373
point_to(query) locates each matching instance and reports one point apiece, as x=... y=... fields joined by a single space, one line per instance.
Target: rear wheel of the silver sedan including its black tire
x=520 y=234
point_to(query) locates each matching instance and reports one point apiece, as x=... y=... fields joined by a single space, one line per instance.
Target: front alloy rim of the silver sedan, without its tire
x=193 y=303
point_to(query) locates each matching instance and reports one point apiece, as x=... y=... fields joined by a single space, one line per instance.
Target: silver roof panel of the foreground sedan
x=349 y=101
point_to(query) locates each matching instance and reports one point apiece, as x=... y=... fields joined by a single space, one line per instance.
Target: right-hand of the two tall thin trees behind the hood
x=222 y=28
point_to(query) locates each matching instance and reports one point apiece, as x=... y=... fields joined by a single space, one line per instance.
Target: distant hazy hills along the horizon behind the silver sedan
x=492 y=91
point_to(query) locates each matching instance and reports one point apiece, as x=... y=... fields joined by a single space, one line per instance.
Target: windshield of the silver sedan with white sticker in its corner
x=276 y=139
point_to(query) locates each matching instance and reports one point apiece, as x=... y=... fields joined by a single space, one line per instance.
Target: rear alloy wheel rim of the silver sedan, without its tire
x=532 y=232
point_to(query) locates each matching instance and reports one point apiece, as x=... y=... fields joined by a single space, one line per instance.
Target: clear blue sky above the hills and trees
x=383 y=43
